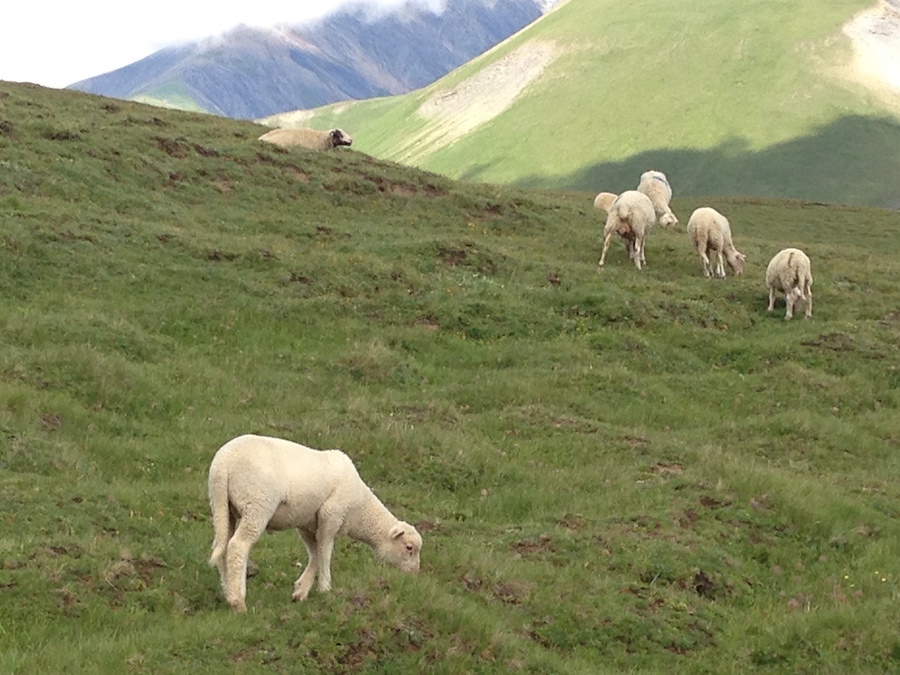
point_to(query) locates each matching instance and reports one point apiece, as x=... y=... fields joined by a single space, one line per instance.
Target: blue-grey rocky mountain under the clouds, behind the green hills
x=353 y=54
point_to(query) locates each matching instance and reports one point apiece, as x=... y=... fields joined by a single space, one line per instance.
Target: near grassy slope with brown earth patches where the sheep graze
x=613 y=472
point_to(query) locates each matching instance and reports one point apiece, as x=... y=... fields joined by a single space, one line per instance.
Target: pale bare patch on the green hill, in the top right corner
x=875 y=34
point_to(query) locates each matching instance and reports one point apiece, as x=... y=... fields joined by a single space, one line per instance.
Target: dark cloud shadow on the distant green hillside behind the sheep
x=854 y=160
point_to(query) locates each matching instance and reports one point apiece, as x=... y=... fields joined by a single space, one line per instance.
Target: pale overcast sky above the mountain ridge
x=57 y=43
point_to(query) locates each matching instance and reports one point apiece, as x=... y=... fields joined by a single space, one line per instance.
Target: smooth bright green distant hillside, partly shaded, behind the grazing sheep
x=727 y=98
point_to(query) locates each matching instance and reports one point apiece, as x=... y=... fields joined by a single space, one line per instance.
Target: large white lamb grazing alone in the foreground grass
x=259 y=483
